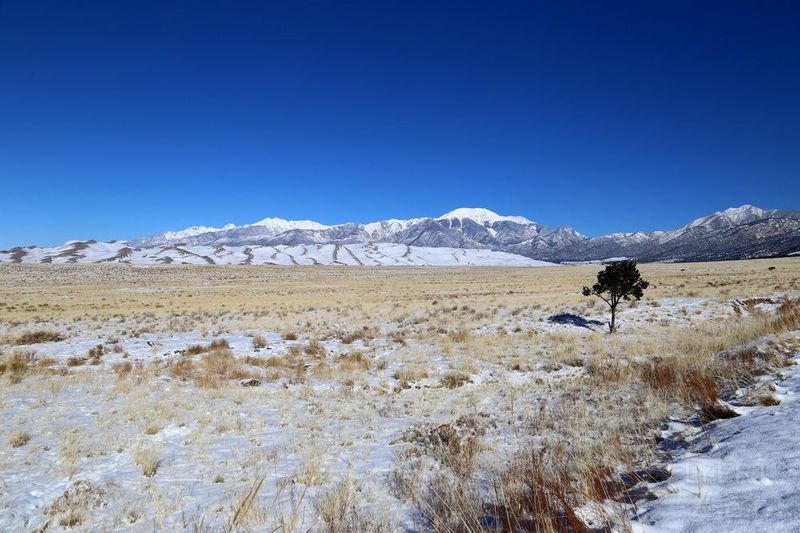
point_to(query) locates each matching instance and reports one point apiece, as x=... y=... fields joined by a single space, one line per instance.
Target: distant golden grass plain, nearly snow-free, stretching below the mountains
x=65 y=292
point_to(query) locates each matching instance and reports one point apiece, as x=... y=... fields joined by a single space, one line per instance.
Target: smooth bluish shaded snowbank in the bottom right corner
x=739 y=476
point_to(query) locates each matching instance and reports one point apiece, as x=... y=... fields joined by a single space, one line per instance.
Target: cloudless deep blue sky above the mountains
x=127 y=118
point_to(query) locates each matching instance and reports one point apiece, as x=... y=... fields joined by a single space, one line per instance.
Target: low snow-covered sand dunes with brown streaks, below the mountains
x=372 y=254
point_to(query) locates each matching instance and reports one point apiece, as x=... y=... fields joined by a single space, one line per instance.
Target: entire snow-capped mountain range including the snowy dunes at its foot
x=473 y=236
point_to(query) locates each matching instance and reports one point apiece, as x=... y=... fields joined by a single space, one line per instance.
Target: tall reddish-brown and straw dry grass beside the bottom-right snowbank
x=545 y=484
